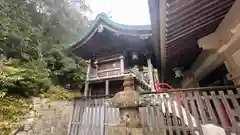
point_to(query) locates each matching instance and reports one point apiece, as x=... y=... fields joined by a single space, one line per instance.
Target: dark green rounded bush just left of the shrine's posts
x=64 y=69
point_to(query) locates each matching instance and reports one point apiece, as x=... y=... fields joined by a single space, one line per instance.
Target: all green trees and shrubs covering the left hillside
x=33 y=36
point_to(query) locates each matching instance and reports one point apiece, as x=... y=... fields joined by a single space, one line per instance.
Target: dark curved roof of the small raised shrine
x=106 y=38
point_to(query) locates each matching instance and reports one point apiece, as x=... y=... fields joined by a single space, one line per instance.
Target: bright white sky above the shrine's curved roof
x=131 y=12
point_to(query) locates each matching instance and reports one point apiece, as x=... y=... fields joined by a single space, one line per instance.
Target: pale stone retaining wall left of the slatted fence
x=48 y=118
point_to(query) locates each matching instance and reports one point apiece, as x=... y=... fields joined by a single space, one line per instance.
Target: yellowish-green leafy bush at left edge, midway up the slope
x=26 y=80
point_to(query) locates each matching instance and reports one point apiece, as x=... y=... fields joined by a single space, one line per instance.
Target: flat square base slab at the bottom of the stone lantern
x=118 y=130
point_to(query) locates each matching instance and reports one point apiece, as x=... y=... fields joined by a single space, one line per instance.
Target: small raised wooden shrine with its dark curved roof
x=113 y=49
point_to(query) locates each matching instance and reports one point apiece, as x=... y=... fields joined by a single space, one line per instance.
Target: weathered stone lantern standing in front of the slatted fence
x=127 y=102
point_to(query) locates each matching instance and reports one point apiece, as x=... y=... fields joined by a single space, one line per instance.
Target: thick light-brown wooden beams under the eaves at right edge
x=226 y=36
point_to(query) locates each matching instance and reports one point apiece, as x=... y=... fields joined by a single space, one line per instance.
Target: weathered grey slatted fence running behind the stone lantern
x=167 y=112
